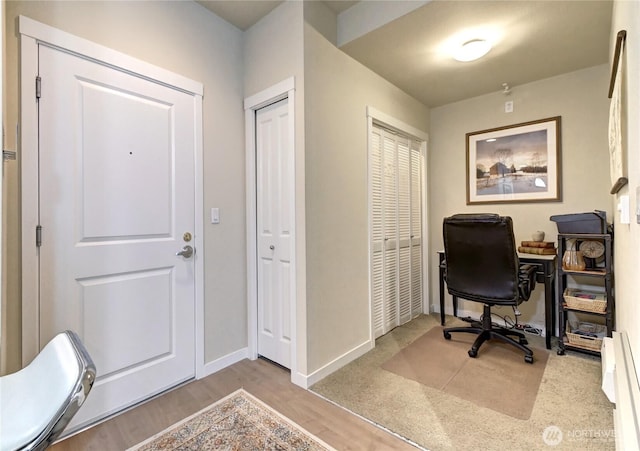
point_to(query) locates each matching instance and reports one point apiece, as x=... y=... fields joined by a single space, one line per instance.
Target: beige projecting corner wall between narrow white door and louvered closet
x=332 y=92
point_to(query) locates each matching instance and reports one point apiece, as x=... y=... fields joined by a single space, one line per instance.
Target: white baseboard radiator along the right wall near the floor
x=620 y=384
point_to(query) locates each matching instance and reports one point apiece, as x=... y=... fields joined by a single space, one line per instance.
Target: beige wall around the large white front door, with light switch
x=187 y=39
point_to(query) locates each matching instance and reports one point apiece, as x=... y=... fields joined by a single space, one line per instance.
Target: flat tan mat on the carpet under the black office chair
x=498 y=378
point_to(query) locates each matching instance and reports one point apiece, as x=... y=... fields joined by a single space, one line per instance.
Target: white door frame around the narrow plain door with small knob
x=280 y=91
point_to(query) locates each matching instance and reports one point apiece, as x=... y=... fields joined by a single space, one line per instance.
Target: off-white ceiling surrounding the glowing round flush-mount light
x=533 y=40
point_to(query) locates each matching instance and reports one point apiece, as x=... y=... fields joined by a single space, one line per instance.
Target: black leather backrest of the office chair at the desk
x=481 y=259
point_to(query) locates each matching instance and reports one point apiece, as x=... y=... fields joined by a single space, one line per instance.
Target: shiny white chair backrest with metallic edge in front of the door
x=37 y=402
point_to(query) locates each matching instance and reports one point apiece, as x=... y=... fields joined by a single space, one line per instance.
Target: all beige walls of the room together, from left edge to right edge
x=332 y=92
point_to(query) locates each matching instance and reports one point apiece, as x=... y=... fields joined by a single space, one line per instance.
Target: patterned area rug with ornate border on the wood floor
x=237 y=422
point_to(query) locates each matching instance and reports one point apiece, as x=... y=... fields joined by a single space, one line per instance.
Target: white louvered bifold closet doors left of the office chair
x=395 y=184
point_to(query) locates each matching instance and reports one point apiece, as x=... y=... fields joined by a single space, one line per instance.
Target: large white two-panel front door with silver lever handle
x=116 y=187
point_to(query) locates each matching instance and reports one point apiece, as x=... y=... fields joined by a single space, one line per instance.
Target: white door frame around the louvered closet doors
x=376 y=116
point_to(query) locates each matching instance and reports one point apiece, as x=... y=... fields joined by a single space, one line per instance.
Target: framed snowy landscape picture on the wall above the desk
x=516 y=163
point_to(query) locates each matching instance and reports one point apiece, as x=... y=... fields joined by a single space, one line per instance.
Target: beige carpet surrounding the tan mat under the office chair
x=570 y=406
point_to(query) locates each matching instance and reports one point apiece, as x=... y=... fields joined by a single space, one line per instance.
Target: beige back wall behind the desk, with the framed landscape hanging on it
x=580 y=98
